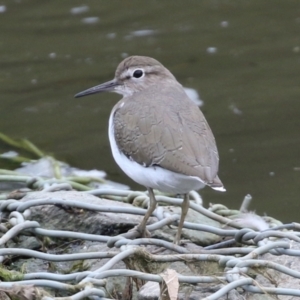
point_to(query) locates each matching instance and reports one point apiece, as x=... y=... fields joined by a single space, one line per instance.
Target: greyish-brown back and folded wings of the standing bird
x=171 y=133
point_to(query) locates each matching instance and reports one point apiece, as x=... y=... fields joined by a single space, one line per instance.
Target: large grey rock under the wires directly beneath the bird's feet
x=105 y=223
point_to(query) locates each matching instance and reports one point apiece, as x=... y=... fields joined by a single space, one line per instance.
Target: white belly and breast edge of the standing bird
x=153 y=177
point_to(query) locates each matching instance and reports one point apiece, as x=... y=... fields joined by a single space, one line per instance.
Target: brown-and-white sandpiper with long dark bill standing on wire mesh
x=158 y=136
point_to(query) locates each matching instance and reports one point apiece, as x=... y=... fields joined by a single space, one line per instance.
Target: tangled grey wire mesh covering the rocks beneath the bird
x=236 y=261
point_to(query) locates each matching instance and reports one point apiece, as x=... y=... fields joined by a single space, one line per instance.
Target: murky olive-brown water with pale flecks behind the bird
x=242 y=57
